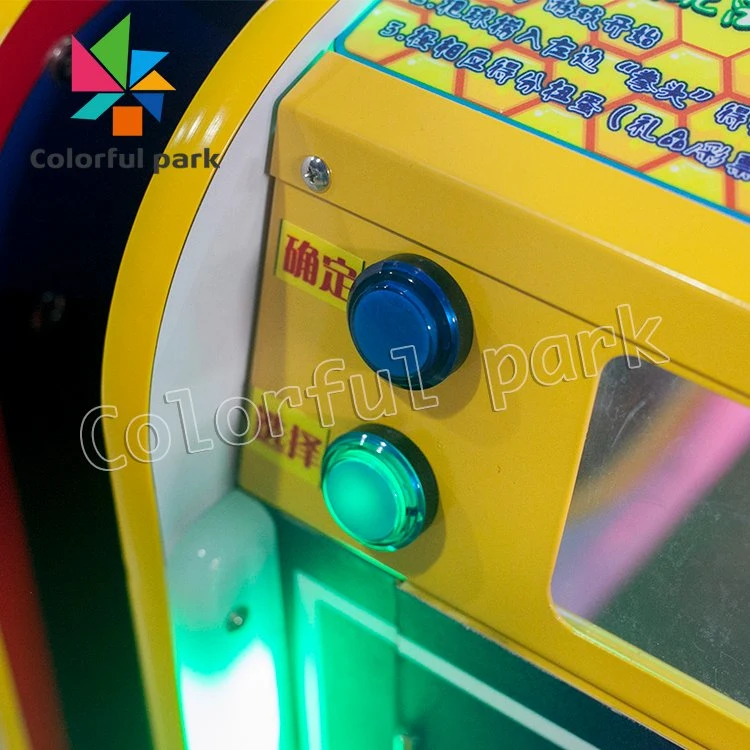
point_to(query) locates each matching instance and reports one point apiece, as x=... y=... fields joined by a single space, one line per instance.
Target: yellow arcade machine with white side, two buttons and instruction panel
x=424 y=391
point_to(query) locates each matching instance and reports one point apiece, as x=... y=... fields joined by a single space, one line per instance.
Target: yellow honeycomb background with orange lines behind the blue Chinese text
x=695 y=47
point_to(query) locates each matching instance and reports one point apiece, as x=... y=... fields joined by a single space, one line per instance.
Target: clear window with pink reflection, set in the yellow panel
x=656 y=548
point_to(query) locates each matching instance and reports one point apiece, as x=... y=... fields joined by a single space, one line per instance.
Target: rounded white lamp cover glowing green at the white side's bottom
x=229 y=671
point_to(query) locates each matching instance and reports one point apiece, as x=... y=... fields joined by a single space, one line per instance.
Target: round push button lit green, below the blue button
x=379 y=487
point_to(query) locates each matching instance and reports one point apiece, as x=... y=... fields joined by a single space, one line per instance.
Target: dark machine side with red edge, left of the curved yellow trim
x=72 y=677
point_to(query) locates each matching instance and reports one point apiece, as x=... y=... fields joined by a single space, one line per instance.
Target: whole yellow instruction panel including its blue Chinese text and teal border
x=659 y=88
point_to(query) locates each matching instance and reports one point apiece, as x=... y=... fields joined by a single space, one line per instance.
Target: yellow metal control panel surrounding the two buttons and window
x=563 y=286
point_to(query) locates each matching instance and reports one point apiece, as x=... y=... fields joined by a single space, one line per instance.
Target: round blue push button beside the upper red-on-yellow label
x=408 y=316
